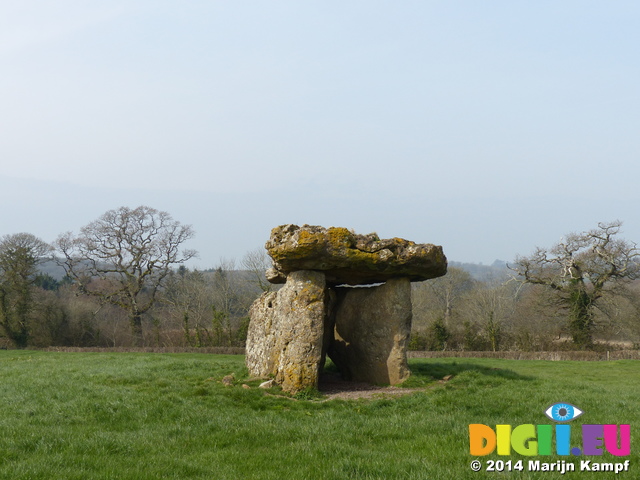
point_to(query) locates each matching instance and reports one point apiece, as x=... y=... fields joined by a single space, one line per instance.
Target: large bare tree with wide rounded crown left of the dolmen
x=124 y=257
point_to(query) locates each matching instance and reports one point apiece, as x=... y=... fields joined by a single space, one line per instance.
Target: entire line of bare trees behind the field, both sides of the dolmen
x=125 y=284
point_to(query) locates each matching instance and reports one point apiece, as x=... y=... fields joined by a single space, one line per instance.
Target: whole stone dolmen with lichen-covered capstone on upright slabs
x=345 y=296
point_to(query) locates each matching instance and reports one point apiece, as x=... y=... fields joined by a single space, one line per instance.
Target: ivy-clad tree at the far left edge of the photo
x=19 y=256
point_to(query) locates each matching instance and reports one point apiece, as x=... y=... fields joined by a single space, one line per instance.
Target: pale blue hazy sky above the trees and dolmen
x=489 y=128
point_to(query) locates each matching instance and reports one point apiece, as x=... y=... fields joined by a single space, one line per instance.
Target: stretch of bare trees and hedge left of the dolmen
x=124 y=284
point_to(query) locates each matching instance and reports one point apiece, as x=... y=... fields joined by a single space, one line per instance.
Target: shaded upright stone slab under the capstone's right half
x=372 y=328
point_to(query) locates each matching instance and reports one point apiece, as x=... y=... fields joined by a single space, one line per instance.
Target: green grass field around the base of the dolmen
x=151 y=416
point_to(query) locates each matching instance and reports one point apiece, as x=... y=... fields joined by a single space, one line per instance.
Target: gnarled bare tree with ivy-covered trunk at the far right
x=581 y=269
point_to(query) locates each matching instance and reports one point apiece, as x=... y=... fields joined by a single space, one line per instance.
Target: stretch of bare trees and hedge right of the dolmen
x=582 y=293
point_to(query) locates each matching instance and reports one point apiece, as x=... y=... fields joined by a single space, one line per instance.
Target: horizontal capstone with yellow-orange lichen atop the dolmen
x=348 y=258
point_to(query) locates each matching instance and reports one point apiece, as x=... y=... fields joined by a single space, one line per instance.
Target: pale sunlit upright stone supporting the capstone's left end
x=286 y=332
